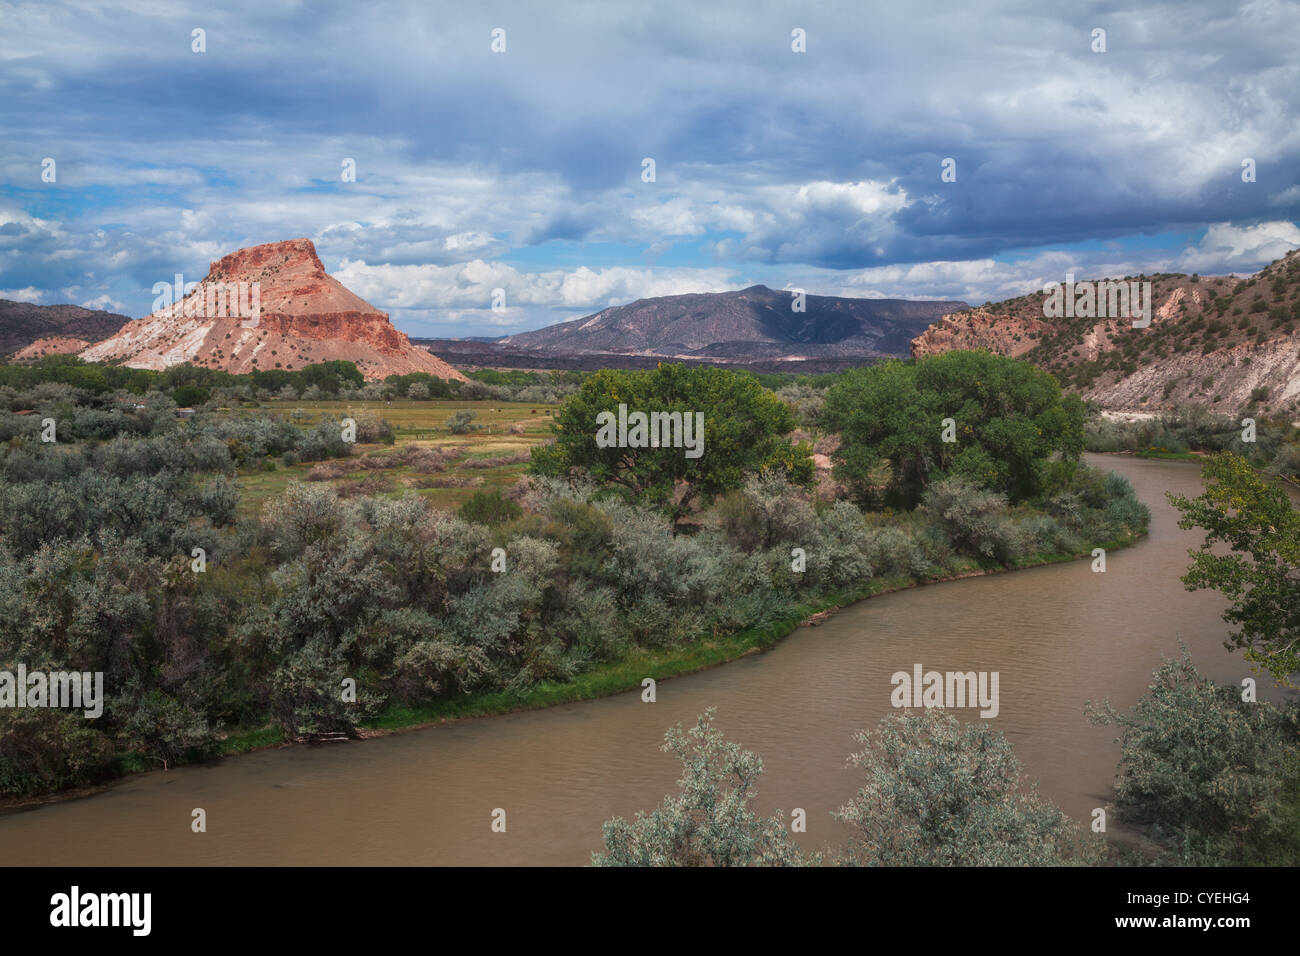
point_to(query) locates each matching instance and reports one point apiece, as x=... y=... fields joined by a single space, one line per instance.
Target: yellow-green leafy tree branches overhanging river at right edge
x=1262 y=574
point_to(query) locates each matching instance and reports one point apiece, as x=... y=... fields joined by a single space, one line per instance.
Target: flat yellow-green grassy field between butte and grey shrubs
x=509 y=430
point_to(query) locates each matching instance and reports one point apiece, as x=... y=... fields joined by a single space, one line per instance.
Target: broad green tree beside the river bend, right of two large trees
x=1009 y=418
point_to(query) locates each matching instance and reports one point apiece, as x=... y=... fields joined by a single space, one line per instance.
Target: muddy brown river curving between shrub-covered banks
x=1058 y=637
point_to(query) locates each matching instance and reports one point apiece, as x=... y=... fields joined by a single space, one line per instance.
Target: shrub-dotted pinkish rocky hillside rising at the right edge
x=1221 y=341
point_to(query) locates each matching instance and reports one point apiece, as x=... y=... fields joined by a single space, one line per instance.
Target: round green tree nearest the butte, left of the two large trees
x=746 y=431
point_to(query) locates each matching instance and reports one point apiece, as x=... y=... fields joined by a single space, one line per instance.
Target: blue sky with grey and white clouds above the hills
x=525 y=170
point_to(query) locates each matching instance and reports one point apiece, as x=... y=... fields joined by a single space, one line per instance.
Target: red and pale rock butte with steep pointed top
x=306 y=317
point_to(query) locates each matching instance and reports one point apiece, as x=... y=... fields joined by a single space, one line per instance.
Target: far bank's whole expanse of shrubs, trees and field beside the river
x=249 y=576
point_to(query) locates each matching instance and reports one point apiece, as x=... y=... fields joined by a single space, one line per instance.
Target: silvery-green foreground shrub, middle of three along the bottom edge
x=941 y=793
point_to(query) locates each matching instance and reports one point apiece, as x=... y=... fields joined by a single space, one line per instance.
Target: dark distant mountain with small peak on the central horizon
x=756 y=323
